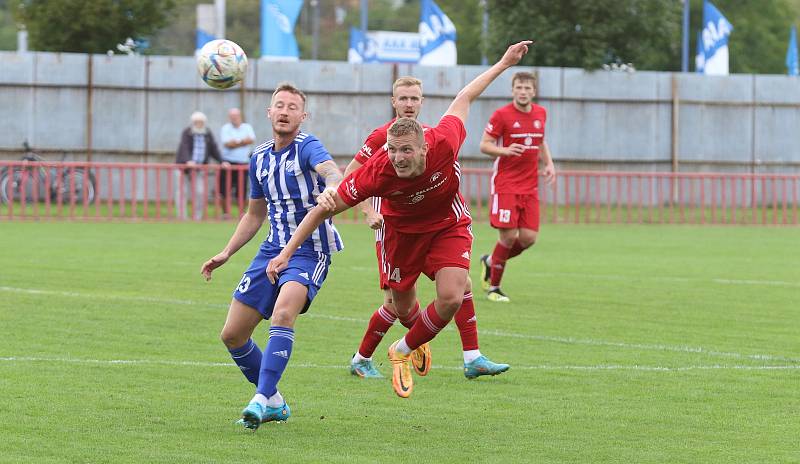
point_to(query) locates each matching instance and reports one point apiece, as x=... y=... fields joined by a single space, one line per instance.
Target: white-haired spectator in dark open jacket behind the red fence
x=196 y=147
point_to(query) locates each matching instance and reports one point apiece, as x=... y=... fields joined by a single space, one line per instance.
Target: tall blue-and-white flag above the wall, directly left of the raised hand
x=437 y=36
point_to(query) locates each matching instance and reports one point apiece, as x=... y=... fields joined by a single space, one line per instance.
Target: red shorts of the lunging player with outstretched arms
x=409 y=255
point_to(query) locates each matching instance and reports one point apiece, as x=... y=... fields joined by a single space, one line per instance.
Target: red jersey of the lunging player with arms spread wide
x=425 y=203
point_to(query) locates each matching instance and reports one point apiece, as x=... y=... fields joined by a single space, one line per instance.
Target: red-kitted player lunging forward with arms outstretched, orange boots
x=428 y=225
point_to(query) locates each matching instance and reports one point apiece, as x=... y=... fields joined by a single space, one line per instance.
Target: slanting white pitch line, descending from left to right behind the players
x=497 y=333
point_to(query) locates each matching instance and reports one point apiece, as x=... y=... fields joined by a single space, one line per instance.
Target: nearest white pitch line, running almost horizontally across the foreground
x=543 y=367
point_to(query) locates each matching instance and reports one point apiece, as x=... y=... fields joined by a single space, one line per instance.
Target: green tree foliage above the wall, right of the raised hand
x=575 y=33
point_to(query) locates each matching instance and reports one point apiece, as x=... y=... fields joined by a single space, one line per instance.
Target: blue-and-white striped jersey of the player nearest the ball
x=287 y=181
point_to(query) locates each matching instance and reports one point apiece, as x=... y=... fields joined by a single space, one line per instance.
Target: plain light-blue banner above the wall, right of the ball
x=278 y=18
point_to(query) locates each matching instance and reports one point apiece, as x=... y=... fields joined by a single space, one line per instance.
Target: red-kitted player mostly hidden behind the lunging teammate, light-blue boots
x=407 y=101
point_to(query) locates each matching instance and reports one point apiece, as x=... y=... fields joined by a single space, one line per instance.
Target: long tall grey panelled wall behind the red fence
x=133 y=109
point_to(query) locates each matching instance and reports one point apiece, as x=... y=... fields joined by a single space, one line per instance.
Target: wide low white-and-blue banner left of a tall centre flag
x=383 y=47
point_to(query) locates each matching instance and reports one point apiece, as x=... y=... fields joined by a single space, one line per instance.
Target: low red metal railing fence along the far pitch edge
x=112 y=191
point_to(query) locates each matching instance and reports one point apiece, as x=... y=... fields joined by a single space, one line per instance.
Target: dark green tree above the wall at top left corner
x=89 y=26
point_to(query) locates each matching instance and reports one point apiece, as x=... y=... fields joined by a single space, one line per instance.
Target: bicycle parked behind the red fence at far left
x=70 y=184
